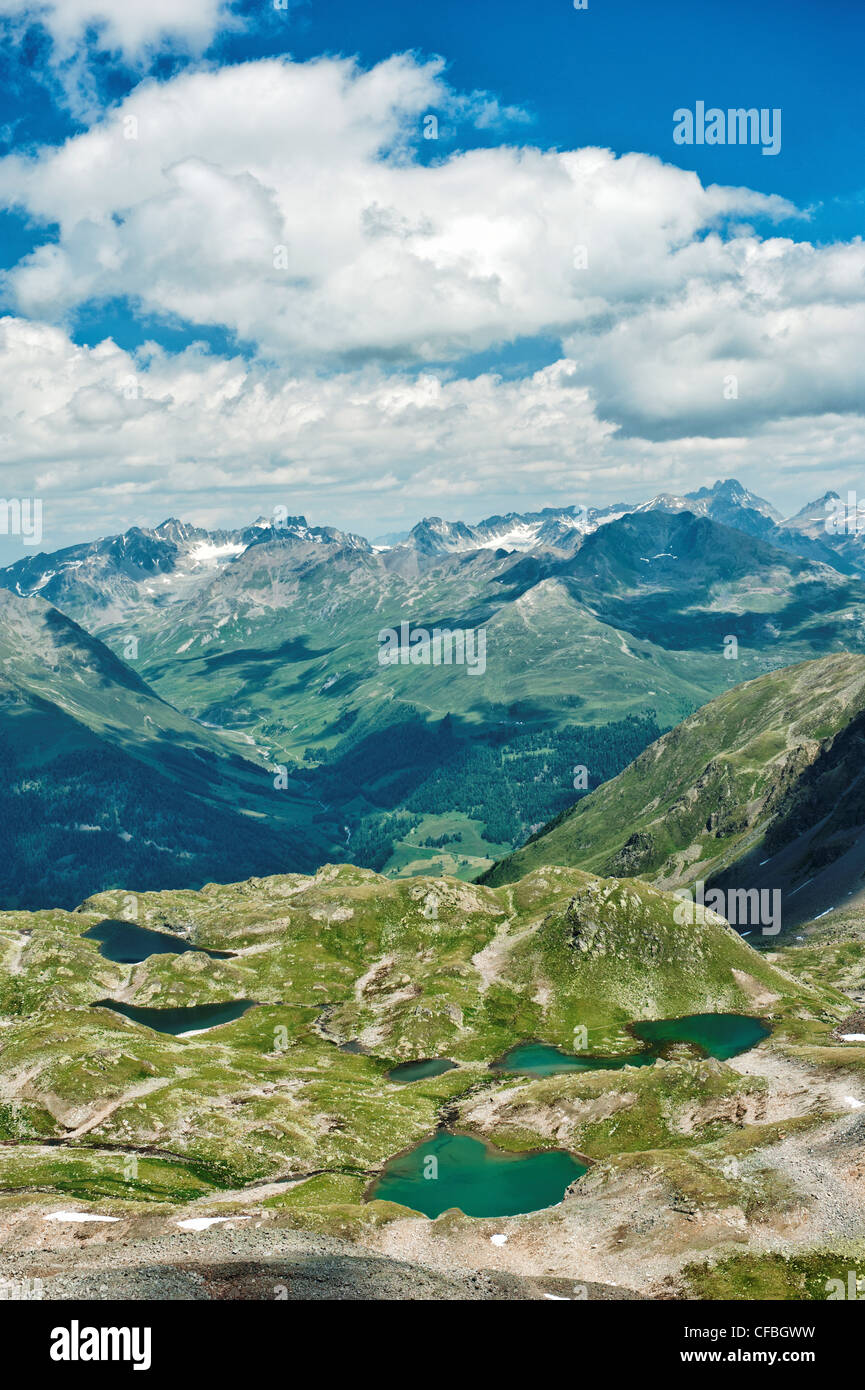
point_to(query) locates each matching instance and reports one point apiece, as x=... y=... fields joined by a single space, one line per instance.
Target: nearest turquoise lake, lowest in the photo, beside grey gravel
x=479 y=1179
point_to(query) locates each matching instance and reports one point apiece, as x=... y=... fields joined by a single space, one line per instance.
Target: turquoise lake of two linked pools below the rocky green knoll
x=718 y=1035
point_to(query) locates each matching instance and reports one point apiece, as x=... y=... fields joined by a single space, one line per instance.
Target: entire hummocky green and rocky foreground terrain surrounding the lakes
x=237 y=1163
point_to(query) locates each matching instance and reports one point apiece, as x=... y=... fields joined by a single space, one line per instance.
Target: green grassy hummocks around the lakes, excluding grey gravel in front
x=411 y=968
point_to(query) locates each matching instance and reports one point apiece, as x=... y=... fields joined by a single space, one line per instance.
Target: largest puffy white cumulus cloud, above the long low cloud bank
x=286 y=202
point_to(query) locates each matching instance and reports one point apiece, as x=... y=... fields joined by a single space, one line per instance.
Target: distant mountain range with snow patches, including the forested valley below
x=258 y=653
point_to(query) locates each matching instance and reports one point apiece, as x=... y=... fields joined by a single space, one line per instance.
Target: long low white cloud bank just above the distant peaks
x=109 y=440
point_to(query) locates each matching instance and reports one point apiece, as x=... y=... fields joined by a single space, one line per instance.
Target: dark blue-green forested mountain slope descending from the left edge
x=104 y=782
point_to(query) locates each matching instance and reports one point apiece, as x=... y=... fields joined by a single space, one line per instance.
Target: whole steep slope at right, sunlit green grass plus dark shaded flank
x=760 y=789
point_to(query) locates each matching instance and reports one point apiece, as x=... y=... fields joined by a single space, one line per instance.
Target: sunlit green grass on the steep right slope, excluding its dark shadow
x=714 y=769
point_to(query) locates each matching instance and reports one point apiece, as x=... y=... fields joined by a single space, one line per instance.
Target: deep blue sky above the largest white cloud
x=608 y=76
